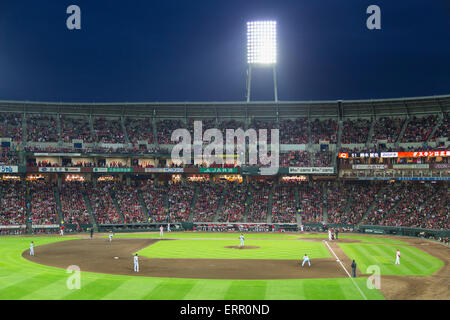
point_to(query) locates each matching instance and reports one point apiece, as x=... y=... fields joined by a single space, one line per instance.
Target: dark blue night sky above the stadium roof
x=166 y=50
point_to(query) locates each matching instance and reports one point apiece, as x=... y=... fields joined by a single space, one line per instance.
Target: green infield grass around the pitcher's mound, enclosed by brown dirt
x=215 y=249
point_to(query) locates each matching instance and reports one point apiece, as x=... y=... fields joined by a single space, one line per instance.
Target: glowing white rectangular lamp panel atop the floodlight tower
x=262 y=42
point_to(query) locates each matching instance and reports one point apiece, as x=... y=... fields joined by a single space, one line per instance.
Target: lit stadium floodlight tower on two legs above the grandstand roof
x=261 y=50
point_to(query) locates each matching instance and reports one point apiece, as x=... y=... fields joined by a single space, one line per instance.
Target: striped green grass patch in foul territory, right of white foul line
x=413 y=262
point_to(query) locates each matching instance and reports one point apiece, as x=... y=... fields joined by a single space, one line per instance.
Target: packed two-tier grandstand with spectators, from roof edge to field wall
x=344 y=164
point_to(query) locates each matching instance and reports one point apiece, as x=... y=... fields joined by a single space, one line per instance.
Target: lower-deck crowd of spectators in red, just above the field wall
x=419 y=205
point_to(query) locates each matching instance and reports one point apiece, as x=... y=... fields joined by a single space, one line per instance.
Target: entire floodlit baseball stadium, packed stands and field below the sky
x=357 y=181
